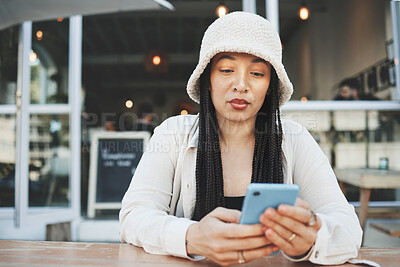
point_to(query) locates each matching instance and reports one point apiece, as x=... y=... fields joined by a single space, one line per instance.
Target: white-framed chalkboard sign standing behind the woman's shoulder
x=114 y=158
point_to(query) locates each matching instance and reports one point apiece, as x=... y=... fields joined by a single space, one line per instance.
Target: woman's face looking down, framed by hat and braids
x=239 y=84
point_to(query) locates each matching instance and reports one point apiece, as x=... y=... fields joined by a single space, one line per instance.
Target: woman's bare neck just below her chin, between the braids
x=235 y=133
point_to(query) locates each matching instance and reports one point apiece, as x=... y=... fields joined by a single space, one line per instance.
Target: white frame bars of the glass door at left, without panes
x=23 y=215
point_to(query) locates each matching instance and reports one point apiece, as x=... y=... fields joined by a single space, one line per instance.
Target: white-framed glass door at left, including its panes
x=42 y=124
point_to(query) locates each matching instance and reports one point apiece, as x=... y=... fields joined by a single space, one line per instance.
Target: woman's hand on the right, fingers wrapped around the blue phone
x=288 y=227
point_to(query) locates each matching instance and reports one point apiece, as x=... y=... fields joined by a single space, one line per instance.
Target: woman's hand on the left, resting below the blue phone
x=220 y=238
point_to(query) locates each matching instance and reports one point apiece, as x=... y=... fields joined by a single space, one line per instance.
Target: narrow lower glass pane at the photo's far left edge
x=7 y=160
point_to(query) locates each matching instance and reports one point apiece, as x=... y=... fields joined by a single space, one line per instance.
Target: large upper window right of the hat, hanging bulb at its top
x=343 y=51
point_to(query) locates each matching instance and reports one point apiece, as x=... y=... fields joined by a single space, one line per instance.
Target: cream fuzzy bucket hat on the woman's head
x=241 y=32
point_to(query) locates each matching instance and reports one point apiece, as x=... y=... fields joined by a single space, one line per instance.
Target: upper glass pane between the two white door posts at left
x=49 y=62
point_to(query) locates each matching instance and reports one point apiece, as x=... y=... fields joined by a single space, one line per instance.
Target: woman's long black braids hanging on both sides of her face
x=267 y=161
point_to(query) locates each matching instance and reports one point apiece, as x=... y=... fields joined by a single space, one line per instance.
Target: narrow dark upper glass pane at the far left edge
x=8 y=65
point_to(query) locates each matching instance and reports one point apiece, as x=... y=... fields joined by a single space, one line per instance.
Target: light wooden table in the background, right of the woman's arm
x=367 y=179
